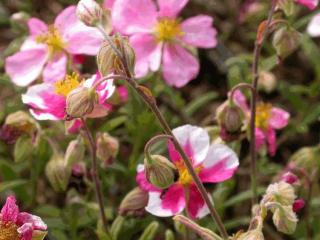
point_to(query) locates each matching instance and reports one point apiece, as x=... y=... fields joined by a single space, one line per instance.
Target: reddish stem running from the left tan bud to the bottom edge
x=95 y=175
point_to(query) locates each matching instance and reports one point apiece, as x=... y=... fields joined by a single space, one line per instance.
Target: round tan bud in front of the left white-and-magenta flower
x=80 y=102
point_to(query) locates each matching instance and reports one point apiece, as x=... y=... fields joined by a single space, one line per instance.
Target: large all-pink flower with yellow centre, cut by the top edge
x=158 y=37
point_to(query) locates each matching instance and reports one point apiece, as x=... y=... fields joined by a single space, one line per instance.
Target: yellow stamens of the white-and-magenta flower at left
x=66 y=85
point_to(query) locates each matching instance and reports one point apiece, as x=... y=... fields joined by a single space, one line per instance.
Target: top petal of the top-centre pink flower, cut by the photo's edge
x=171 y=8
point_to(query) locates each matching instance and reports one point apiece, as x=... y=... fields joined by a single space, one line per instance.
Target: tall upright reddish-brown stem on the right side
x=261 y=36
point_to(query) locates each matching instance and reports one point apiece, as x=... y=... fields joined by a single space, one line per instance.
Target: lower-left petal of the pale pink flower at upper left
x=25 y=66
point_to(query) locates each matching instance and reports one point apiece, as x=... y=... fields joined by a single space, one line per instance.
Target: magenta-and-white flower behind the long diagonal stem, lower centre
x=213 y=163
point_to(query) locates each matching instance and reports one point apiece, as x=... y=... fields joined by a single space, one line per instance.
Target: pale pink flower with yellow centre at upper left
x=47 y=49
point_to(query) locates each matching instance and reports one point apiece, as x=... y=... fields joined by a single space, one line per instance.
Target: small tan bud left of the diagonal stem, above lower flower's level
x=107 y=147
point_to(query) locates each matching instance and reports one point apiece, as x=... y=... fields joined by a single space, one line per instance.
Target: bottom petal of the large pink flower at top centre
x=179 y=66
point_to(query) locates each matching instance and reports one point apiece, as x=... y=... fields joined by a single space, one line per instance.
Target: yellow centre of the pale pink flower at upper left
x=53 y=40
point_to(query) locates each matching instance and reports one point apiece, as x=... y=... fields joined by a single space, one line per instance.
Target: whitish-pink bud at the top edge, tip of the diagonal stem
x=89 y=12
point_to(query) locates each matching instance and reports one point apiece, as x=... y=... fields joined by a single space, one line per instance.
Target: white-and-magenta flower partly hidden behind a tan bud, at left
x=47 y=101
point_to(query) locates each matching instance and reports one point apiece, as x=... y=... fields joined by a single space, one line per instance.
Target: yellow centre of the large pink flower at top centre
x=168 y=29
